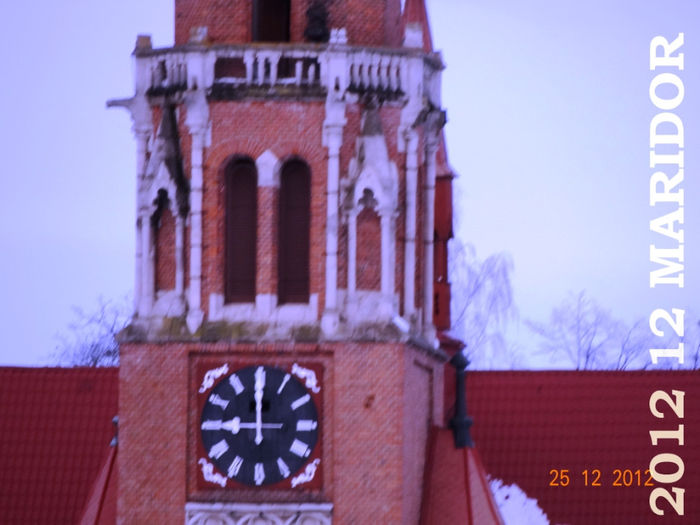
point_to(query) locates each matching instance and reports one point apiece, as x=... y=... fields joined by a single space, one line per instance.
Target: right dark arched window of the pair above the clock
x=294 y=224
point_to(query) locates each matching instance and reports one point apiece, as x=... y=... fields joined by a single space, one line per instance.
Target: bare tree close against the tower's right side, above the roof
x=483 y=304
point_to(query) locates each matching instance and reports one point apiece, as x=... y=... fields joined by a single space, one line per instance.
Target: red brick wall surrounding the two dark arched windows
x=249 y=128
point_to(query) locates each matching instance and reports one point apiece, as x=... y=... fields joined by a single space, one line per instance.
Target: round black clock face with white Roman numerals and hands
x=259 y=425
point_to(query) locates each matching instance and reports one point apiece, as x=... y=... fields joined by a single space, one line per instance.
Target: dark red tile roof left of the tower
x=56 y=428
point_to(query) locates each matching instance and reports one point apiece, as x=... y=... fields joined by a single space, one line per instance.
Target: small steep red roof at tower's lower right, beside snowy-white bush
x=456 y=489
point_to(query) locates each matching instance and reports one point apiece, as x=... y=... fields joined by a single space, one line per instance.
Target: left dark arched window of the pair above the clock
x=241 y=183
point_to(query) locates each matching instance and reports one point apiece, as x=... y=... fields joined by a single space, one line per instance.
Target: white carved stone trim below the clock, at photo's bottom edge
x=258 y=513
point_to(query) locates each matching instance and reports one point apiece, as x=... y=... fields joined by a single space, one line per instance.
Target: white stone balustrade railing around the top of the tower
x=293 y=69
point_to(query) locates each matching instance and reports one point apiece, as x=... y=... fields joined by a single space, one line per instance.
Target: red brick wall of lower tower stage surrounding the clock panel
x=374 y=426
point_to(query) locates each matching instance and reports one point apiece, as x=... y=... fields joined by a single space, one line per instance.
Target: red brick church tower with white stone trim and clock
x=284 y=362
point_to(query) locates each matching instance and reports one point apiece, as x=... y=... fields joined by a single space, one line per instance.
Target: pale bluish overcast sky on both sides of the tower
x=548 y=111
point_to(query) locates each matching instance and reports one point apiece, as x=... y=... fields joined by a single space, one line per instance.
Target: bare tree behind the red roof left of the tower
x=91 y=337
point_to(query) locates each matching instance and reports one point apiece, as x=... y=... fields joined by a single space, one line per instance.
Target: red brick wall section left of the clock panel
x=152 y=434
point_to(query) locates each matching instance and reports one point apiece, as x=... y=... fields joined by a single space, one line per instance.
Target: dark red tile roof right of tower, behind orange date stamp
x=528 y=424
